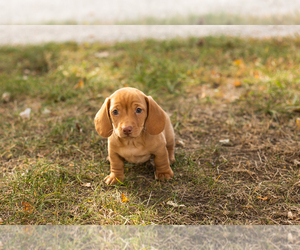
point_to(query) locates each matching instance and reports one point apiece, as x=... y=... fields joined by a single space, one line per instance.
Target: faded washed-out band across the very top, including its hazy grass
x=150 y=12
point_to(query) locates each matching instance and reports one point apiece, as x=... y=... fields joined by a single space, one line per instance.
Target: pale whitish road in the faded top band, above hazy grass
x=110 y=11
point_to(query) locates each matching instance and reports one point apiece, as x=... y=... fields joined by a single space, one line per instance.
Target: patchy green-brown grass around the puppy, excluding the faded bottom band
x=214 y=88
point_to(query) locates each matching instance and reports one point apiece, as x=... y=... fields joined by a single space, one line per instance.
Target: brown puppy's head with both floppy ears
x=128 y=112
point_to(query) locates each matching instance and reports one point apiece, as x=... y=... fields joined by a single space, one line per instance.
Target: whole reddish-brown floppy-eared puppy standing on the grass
x=136 y=128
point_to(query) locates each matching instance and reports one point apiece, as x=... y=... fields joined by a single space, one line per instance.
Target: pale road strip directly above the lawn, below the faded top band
x=23 y=34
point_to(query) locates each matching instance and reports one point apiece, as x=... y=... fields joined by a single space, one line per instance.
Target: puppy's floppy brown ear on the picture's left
x=102 y=120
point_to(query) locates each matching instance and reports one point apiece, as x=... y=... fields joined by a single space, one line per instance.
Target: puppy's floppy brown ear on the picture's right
x=155 y=121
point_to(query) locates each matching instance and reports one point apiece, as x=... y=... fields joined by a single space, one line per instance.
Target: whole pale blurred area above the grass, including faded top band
x=24 y=22
